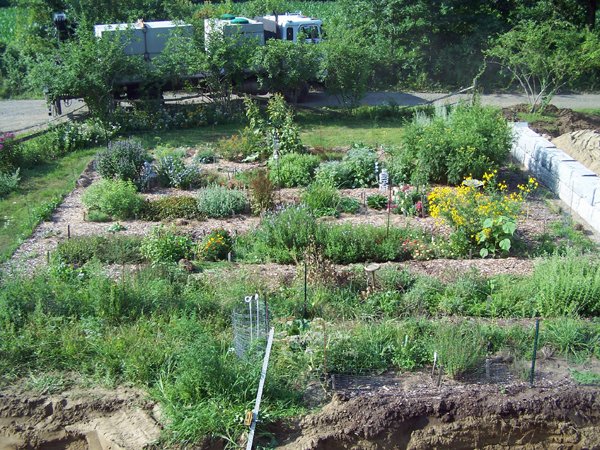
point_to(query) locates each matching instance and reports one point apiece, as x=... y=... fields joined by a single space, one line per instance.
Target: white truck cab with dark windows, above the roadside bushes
x=291 y=26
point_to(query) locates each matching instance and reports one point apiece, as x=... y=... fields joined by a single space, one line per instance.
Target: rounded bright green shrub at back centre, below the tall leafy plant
x=293 y=169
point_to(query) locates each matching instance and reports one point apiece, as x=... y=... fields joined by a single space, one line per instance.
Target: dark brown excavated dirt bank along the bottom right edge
x=555 y=415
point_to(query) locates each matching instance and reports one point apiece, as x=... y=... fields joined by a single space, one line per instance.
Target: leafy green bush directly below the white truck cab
x=286 y=67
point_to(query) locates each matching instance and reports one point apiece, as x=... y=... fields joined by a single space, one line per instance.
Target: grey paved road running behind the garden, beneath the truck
x=26 y=115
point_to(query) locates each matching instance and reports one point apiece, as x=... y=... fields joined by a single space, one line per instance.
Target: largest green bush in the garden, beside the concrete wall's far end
x=467 y=141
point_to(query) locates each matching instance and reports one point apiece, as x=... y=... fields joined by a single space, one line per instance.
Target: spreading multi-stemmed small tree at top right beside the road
x=544 y=57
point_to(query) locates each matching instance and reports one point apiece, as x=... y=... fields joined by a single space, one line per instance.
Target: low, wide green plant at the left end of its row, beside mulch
x=106 y=249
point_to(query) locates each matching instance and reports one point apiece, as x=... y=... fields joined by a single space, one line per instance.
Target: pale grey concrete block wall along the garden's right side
x=574 y=184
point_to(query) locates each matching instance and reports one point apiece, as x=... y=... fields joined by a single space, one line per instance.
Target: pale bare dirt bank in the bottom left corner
x=78 y=419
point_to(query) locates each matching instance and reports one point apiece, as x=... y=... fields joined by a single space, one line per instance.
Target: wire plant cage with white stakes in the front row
x=250 y=325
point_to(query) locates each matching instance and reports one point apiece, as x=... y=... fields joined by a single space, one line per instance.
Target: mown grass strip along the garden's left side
x=20 y=212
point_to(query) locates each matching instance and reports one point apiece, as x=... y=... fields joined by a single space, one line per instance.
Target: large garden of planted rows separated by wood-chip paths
x=133 y=279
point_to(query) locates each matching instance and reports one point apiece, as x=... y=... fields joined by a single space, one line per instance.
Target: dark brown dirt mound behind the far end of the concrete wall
x=566 y=121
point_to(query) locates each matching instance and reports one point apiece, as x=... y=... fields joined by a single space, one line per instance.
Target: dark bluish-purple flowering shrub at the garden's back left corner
x=122 y=159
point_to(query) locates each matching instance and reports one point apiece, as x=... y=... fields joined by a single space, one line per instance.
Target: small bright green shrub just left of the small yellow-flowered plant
x=165 y=246
